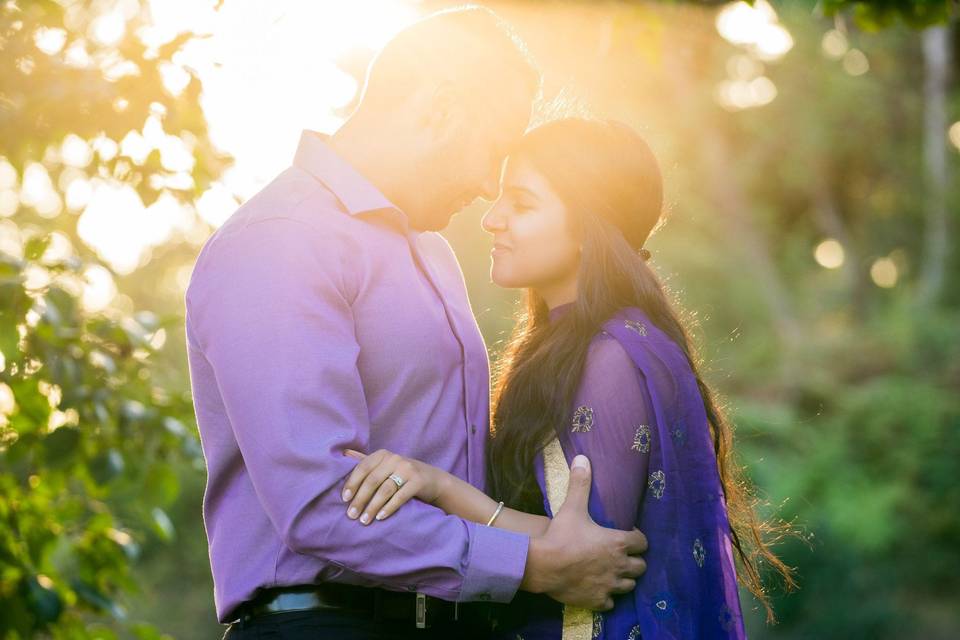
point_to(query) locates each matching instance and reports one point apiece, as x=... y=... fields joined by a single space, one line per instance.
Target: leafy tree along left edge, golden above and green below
x=92 y=429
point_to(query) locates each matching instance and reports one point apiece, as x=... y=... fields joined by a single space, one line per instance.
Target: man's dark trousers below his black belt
x=339 y=624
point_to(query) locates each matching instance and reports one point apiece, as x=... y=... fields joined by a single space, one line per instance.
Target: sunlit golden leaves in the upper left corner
x=45 y=97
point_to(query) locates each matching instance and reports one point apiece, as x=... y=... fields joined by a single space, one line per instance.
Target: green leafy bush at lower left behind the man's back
x=87 y=454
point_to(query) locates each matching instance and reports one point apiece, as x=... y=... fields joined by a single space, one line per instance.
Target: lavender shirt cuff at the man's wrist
x=497 y=559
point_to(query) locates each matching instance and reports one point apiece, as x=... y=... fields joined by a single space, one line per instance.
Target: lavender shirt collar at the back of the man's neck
x=353 y=190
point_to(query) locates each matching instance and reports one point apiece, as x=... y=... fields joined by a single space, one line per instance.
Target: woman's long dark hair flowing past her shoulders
x=610 y=183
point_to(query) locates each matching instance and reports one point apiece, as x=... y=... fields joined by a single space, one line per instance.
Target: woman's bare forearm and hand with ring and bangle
x=373 y=492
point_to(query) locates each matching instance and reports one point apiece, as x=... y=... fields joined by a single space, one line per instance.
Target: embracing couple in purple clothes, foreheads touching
x=359 y=485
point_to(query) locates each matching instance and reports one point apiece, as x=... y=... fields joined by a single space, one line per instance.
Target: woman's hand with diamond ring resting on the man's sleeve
x=374 y=492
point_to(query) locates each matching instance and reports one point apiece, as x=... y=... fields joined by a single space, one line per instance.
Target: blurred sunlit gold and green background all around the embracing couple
x=810 y=152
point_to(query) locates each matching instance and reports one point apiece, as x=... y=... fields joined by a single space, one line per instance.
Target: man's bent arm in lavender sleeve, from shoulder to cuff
x=269 y=312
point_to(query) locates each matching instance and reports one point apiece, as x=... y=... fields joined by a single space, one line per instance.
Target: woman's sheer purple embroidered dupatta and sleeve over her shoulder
x=639 y=417
